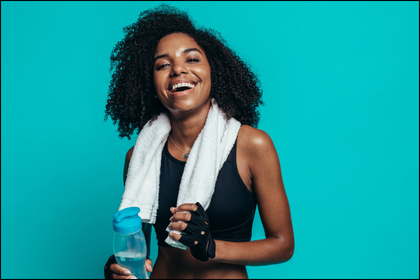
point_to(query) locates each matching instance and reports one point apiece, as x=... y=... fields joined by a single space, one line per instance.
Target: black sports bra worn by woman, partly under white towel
x=232 y=207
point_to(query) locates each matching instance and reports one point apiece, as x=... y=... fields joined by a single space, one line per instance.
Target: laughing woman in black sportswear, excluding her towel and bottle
x=165 y=65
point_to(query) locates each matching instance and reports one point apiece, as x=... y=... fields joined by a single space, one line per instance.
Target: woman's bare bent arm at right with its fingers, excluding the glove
x=258 y=154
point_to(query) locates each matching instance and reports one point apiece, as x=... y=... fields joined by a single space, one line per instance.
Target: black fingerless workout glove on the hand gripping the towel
x=197 y=235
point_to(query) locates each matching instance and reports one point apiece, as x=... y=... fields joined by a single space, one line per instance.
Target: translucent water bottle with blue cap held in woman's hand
x=129 y=243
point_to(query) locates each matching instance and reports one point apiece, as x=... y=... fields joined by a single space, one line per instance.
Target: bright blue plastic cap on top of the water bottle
x=127 y=220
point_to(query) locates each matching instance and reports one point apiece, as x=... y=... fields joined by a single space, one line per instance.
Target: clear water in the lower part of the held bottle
x=133 y=261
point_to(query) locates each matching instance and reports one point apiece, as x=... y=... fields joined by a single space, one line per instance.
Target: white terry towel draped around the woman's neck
x=206 y=158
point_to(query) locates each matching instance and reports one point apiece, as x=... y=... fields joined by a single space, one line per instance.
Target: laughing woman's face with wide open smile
x=181 y=75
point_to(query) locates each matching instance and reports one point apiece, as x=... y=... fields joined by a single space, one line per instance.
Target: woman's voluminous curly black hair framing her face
x=131 y=95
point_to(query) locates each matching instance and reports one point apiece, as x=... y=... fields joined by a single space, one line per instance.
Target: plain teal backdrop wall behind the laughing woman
x=341 y=93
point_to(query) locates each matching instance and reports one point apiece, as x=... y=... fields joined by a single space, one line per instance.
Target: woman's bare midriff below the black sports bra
x=176 y=263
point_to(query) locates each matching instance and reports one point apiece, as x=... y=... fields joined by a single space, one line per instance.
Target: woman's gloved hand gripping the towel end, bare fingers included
x=196 y=230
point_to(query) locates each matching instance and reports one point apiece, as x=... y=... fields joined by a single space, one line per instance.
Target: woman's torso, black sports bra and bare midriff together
x=231 y=210
